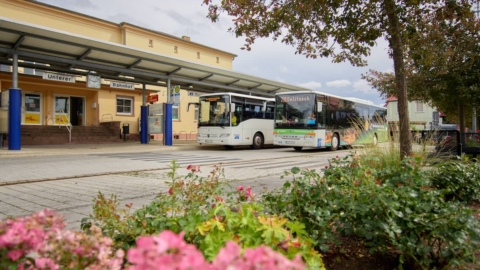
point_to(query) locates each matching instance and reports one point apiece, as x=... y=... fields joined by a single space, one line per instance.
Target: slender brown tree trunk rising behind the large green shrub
x=398 y=61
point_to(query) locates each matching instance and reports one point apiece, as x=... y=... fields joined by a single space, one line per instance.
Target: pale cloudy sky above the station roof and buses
x=268 y=59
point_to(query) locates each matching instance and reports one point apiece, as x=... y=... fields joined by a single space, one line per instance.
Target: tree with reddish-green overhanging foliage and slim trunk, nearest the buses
x=342 y=29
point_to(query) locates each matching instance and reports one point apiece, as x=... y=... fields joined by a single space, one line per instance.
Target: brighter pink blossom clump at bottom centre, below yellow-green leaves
x=170 y=251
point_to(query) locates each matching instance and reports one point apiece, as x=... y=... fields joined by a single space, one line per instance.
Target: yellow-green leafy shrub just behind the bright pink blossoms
x=247 y=226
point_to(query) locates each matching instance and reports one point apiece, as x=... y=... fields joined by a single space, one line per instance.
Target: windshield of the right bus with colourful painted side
x=295 y=110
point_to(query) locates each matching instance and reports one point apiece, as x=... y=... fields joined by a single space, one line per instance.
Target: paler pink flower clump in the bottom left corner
x=39 y=241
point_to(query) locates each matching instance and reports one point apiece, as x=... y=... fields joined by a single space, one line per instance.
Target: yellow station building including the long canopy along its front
x=82 y=71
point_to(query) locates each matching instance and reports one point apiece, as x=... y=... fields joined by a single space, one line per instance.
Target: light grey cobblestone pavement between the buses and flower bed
x=69 y=183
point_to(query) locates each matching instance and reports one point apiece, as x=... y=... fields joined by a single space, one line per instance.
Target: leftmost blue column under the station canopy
x=14 y=119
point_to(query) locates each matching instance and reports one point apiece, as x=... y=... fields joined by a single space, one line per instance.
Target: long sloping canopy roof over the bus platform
x=63 y=50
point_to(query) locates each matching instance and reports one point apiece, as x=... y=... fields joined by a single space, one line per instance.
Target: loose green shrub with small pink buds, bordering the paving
x=185 y=205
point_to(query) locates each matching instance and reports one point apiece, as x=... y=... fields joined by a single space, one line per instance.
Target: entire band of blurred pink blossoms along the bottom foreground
x=39 y=242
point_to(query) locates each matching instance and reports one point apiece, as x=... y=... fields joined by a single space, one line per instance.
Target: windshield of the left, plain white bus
x=214 y=111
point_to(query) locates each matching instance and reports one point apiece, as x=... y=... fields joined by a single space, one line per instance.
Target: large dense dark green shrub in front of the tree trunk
x=392 y=209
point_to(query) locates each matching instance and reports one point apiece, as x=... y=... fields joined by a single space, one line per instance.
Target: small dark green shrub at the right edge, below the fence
x=458 y=180
